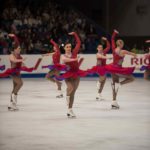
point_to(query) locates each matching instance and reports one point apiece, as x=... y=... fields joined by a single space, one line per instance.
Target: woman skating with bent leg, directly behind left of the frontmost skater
x=55 y=68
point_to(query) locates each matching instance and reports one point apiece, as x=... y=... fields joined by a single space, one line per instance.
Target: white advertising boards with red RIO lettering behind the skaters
x=89 y=61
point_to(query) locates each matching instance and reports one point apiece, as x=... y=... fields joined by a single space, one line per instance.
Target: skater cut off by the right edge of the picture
x=146 y=69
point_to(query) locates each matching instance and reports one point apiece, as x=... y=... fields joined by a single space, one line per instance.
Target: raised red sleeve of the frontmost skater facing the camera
x=77 y=47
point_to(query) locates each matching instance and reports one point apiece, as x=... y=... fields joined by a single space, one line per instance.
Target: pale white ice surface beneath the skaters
x=42 y=124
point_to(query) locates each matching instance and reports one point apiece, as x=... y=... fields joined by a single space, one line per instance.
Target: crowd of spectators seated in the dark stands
x=35 y=23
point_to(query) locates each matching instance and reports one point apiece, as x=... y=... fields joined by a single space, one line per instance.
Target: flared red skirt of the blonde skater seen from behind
x=119 y=69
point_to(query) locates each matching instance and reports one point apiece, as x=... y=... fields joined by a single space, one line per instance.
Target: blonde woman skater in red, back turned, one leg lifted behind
x=116 y=67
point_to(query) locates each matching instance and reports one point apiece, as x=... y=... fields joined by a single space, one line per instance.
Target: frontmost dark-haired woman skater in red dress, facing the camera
x=73 y=74
